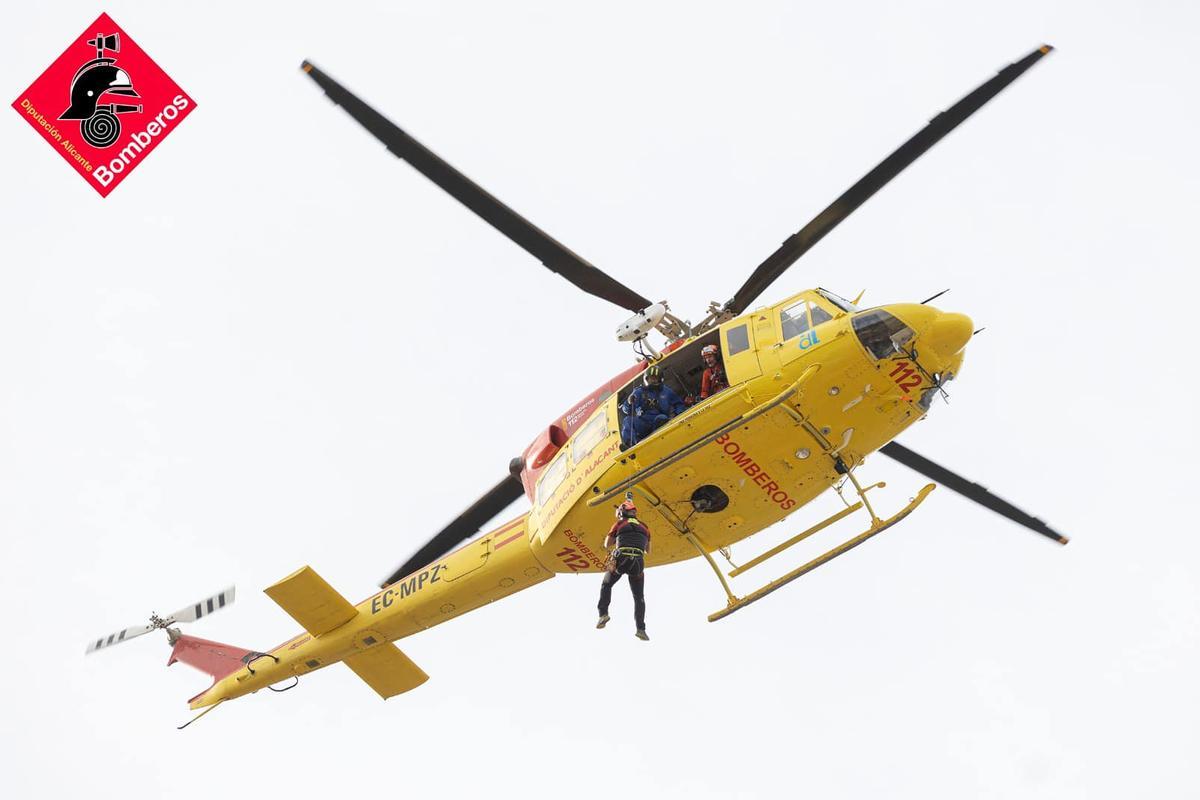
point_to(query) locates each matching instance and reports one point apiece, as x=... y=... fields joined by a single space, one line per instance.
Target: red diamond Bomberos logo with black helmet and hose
x=104 y=105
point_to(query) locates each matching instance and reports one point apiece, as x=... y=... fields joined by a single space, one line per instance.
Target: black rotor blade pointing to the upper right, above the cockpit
x=873 y=182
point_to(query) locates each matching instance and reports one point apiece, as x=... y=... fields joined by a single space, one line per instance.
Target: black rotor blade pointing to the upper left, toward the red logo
x=535 y=240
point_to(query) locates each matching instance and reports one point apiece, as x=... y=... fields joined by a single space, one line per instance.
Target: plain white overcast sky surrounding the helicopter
x=275 y=345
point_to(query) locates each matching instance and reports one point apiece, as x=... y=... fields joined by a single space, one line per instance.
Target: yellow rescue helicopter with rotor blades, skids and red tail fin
x=814 y=386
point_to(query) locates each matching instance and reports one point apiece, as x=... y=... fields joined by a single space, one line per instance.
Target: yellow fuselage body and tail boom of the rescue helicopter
x=769 y=468
